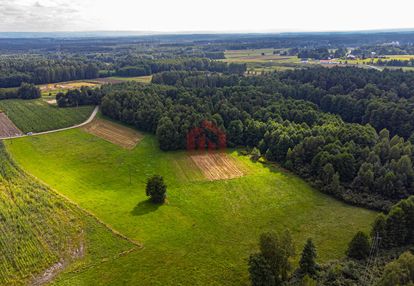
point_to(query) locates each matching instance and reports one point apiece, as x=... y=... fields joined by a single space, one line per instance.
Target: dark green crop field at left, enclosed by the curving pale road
x=37 y=115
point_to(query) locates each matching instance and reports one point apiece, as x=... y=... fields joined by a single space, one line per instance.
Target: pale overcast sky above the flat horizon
x=204 y=16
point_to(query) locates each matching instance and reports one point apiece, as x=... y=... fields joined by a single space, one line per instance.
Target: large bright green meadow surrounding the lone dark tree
x=205 y=232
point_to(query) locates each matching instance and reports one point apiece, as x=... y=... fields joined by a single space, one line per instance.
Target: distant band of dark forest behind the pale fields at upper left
x=15 y=70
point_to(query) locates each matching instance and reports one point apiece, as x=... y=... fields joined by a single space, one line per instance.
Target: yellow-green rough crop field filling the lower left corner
x=42 y=233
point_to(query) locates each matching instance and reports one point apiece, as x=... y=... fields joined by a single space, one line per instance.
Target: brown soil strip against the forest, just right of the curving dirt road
x=114 y=133
